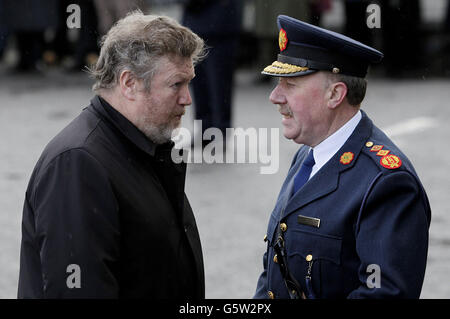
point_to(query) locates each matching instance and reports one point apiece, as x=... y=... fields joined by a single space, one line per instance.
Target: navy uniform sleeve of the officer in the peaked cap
x=392 y=238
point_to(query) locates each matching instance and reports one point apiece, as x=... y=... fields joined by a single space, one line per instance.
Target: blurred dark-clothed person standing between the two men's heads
x=219 y=24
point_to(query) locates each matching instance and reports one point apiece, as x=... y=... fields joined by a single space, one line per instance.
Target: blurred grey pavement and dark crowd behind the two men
x=45 y=47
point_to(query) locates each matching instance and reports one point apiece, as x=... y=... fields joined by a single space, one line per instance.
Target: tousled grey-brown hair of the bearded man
x=137 y=42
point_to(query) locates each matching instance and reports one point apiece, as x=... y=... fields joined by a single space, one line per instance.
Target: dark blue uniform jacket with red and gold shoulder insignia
x=370 y=214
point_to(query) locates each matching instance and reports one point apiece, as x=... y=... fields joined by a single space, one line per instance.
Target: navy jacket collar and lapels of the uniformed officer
x=326 y=179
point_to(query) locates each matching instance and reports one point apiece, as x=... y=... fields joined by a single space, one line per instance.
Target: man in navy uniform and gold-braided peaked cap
x=352 y=217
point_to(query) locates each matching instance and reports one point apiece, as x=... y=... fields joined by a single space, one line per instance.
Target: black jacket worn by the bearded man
x=106 y=216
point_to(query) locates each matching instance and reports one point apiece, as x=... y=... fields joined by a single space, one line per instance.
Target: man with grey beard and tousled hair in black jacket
x=105 y=213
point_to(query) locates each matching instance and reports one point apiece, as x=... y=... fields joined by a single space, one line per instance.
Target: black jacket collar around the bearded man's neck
x=131 y=132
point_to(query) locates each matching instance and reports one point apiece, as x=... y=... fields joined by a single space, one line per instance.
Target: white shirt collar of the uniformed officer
x=328 y=147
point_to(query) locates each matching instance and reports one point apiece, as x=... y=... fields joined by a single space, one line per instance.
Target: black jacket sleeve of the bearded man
x=77 y=228
